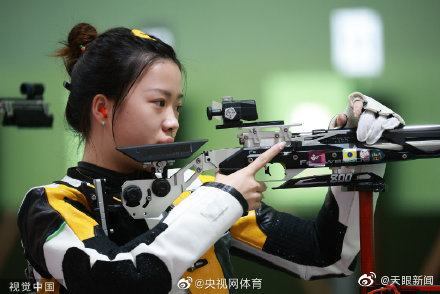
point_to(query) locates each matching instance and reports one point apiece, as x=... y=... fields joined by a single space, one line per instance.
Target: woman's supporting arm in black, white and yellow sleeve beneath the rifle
x=310 y=249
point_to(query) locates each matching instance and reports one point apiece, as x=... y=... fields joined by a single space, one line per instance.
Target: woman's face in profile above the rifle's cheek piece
x=149 y=114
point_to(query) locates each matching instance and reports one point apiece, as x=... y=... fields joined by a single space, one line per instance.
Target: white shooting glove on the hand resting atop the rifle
x=374 y=120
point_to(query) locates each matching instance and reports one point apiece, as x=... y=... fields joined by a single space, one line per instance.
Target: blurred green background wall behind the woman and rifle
x=247 y=49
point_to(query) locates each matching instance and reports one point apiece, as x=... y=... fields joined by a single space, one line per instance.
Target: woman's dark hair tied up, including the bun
x=109 y=64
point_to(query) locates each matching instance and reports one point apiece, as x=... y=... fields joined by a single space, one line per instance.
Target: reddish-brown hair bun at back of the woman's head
x=81 y=34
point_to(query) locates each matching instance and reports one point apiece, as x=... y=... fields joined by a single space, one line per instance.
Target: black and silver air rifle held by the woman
x=150 y=198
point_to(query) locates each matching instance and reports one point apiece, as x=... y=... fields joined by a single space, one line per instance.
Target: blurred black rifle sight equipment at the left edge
x=30 y=112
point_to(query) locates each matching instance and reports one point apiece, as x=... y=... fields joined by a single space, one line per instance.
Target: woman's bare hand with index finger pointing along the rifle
x=244 y=181
